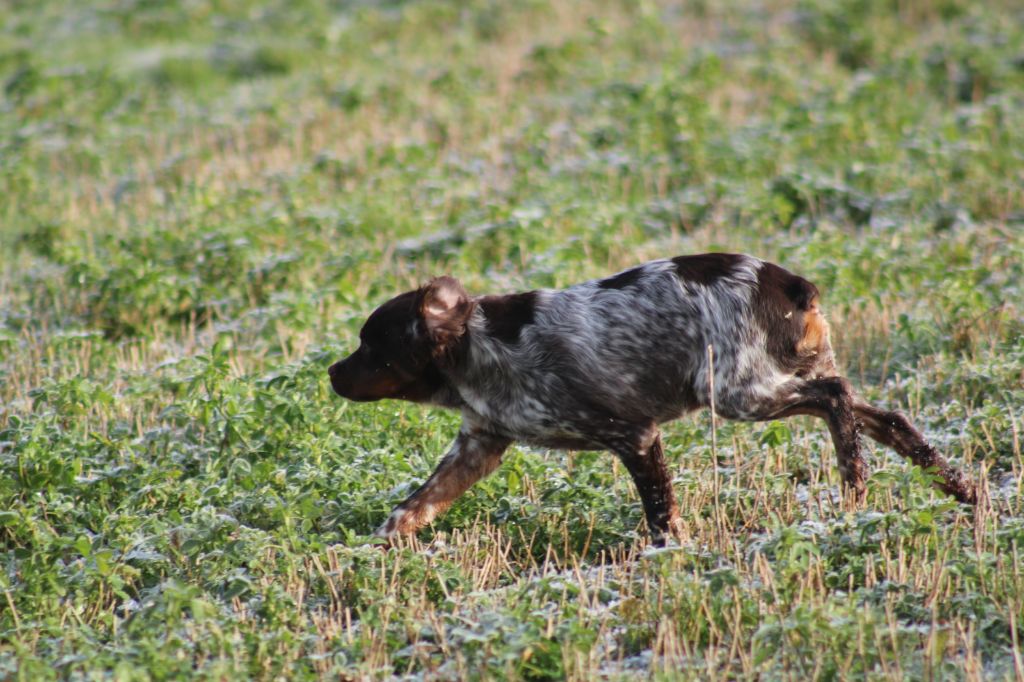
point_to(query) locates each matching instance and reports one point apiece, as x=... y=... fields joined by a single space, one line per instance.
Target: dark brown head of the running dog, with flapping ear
x=404 y=344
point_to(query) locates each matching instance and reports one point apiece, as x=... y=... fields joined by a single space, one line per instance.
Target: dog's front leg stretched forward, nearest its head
x=473 y=456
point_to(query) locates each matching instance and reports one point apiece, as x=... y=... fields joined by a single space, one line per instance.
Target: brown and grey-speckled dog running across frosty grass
x=601 y=365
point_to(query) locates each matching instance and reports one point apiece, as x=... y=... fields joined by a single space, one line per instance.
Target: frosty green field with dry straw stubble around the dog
x=201 y=201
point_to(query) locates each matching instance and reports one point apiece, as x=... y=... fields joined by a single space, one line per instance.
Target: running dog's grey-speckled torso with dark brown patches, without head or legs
x=635 y=346
